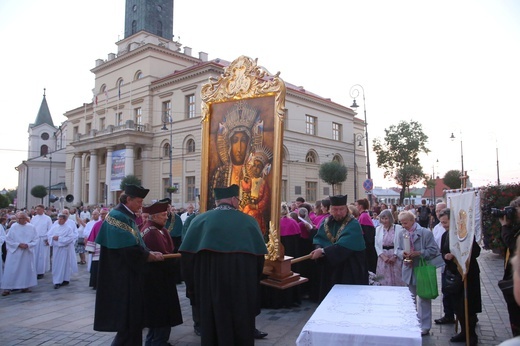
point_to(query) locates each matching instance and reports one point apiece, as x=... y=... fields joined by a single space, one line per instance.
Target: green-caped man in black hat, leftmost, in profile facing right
x=119 y=294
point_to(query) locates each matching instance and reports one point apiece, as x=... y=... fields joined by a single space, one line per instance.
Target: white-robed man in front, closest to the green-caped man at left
x=61 y=237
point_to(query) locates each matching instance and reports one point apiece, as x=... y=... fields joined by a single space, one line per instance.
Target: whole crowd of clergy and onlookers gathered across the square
x=132 y=253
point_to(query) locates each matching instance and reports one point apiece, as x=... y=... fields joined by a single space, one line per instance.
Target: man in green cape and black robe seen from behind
x=227 y=251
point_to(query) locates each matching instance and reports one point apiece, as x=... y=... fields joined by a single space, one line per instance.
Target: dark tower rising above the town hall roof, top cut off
x=153 y=16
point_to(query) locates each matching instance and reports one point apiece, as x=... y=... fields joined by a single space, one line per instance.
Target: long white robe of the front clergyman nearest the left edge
x=19 y=270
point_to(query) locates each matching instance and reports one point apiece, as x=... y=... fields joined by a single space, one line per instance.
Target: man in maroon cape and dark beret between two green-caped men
x=161 y=301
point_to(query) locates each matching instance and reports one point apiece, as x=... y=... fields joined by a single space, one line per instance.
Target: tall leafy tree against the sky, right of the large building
x=398 y=155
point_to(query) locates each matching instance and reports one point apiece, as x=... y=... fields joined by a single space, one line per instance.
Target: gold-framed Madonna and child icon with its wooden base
x=242 y=143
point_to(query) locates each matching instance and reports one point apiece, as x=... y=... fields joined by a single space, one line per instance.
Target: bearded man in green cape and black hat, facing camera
x=340 y=248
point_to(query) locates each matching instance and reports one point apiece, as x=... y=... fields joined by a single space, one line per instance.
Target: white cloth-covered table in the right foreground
x=363 y=315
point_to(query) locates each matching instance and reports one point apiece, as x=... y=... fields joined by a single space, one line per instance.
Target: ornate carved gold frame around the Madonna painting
x=243 y=79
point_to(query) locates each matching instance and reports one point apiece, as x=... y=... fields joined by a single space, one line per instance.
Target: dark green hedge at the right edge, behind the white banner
x=496 y=197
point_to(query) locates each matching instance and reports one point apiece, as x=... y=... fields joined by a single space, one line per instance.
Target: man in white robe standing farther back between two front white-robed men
x=42 y=253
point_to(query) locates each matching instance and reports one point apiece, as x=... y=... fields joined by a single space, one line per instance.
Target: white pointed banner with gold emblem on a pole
x=463 y=211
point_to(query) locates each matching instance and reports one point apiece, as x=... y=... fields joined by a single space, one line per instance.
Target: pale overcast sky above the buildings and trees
x=452 y=66
